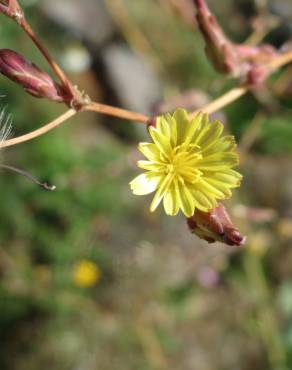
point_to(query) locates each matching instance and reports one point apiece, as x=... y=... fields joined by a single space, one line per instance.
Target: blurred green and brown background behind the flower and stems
x=89 y=279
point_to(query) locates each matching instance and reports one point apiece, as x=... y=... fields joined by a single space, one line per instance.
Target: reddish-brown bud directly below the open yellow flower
x=215 y=225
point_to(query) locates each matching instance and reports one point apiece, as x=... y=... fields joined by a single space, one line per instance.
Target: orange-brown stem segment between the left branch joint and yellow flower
x=116 y=112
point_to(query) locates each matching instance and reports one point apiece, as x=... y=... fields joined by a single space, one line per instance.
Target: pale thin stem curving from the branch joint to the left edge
x=41 y=131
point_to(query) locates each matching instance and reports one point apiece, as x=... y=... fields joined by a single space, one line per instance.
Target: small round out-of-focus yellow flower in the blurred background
x=86 y=274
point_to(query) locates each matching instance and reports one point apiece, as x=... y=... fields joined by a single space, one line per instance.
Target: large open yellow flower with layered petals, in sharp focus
x=189 y=164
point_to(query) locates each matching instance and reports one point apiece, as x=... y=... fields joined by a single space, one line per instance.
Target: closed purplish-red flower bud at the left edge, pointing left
x=34 y=81
